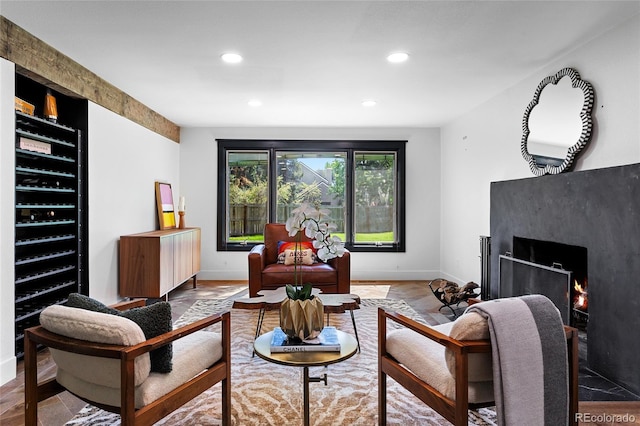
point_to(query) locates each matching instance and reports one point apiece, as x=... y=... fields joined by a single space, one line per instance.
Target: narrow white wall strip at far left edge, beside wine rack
x=7 y=220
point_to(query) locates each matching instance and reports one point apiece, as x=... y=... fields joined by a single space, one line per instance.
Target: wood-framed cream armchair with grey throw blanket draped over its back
x=454 y=367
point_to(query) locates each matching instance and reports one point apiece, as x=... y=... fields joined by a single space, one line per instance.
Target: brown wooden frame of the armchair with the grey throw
x=455 y=411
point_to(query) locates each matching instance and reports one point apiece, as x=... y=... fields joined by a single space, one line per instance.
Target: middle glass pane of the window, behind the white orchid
x=314 y=178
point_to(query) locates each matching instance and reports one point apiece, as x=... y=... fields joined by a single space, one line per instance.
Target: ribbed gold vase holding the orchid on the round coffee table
x=301 y=314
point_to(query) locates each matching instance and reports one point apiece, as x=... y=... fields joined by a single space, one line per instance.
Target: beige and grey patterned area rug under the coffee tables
x=264 y=393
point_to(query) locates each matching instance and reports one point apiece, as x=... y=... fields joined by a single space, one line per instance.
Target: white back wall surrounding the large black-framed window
x=198 y=177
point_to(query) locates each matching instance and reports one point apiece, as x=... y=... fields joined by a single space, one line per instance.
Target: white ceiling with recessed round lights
x=311 y=63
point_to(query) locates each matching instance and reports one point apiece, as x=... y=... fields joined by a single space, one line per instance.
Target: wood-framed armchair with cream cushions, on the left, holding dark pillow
x=104 y=360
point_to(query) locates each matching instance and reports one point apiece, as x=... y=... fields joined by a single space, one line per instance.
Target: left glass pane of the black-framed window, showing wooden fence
x=248 y=195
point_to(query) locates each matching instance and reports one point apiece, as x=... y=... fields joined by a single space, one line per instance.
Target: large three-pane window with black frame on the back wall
x=359 y=183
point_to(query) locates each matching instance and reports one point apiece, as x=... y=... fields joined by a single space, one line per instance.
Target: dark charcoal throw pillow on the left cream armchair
x=154 y=320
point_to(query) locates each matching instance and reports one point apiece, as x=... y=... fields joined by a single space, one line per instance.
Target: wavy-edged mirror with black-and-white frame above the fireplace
x=557 y=122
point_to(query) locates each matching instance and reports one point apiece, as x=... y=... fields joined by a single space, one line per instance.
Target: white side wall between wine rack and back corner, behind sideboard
x=125 y=160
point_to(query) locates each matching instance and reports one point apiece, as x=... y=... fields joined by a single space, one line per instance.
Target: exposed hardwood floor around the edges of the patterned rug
x=59 y=409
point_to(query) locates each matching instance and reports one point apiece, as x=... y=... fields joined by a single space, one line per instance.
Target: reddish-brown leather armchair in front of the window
x=265 y=273
